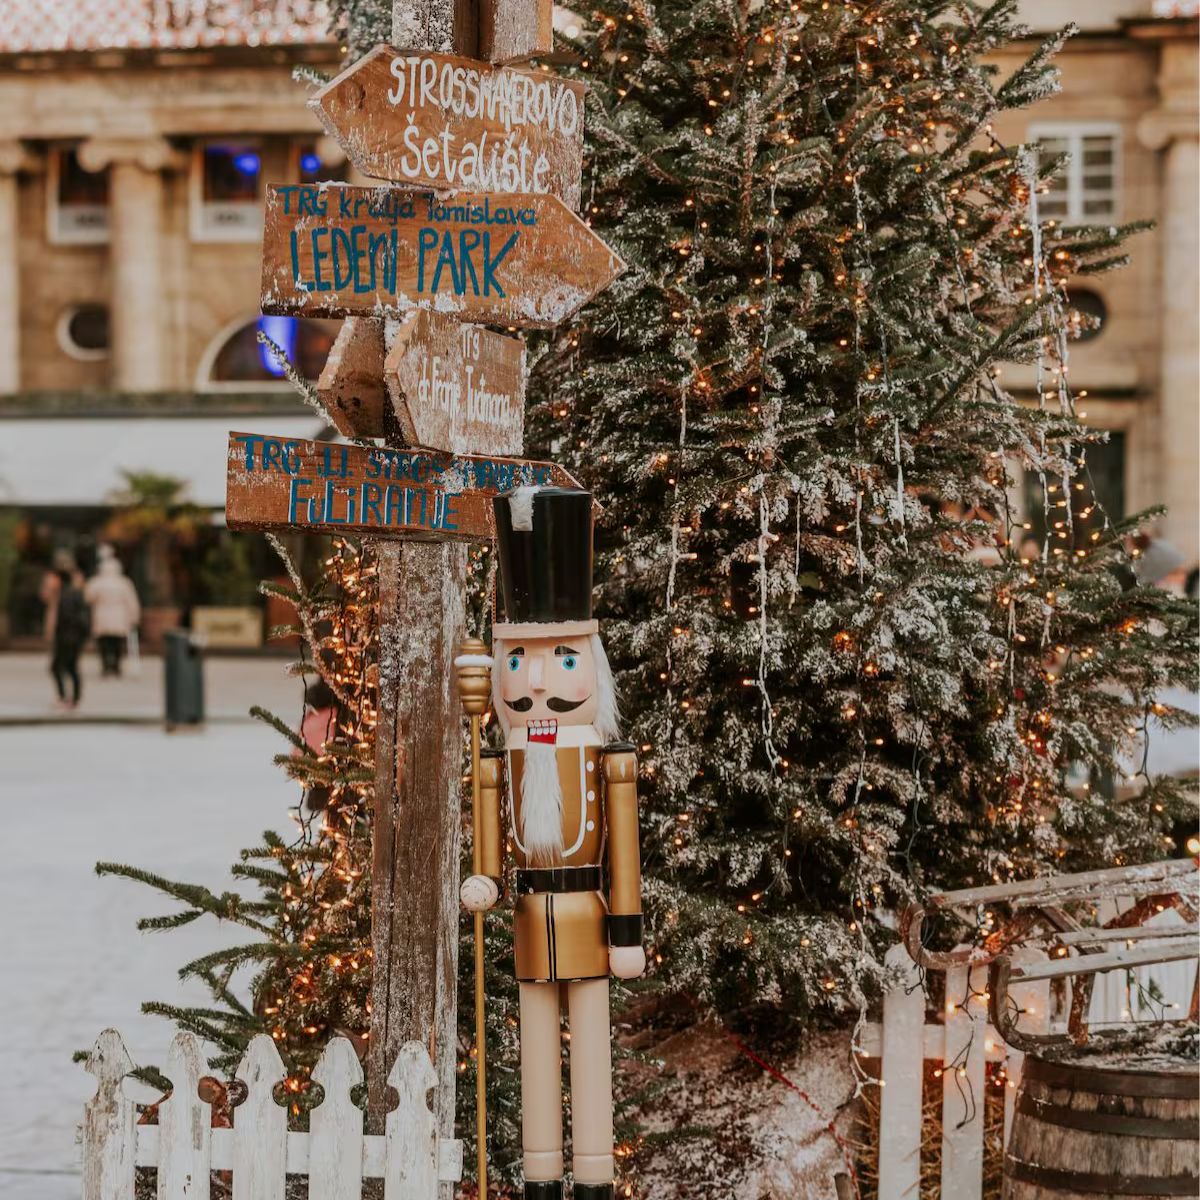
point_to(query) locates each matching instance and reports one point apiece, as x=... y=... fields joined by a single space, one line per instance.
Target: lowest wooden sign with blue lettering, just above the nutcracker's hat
x=329 y=488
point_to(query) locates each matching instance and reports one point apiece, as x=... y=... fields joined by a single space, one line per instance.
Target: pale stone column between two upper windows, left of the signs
x=137 y=309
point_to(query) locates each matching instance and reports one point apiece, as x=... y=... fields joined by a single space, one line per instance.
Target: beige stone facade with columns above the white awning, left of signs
x=130 y=183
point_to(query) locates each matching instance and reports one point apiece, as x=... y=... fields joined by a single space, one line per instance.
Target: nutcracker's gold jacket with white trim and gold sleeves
x=566 y=935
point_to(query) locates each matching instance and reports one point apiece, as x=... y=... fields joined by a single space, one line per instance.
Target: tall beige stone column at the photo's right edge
x=1173 y=130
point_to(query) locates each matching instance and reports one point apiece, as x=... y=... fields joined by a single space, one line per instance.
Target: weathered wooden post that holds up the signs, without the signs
x=415 y=902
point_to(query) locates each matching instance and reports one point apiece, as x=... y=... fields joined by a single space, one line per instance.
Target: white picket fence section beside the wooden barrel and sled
x=962 y=1046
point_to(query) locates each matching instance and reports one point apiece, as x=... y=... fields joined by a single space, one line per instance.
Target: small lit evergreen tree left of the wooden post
x=310 y=919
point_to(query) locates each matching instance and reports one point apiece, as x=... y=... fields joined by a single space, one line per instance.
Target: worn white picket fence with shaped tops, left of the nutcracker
x=260 y=1150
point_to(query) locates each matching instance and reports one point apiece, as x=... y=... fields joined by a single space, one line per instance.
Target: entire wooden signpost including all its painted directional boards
x=409 y=268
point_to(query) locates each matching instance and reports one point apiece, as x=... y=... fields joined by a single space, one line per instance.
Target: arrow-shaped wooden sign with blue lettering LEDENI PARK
x=331 y=250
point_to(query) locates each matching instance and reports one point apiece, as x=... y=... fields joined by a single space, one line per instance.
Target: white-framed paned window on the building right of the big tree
x=1085 y=190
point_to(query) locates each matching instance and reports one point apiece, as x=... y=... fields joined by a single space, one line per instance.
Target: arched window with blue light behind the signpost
x=237 y=361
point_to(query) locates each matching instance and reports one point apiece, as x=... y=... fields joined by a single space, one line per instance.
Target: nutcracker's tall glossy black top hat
x=544 y=537
